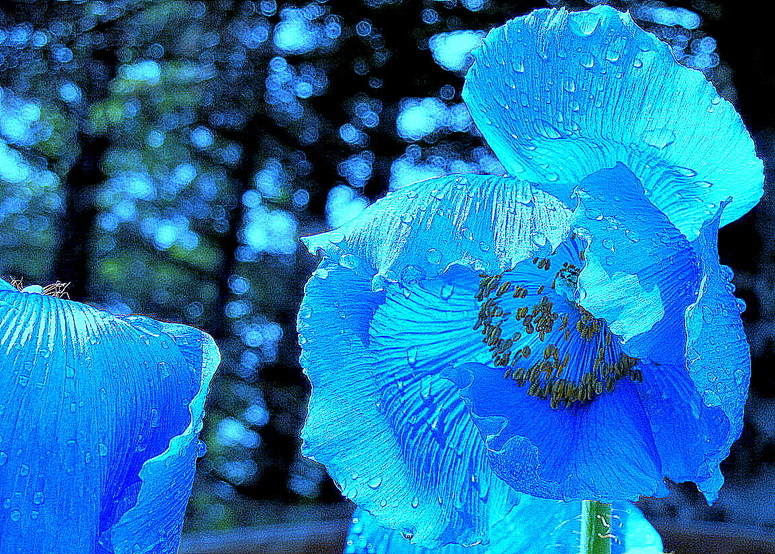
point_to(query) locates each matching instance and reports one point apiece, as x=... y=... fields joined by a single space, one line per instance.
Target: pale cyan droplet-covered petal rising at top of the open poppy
x=560 y=95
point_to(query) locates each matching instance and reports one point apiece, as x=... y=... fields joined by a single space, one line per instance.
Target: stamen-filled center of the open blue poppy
x=543 y=338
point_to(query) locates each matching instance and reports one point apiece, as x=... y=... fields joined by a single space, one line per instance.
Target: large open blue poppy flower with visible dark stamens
x=565 y=331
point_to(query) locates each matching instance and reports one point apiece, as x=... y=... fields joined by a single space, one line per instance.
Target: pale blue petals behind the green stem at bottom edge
x=534 y=525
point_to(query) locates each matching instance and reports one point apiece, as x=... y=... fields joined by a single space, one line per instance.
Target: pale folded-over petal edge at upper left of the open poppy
x=486 y=222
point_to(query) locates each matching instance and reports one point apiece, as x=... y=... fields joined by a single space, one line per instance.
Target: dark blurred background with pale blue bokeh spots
x=164 y=156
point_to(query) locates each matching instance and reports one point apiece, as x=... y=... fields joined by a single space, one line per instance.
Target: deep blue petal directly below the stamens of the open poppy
x=602 y=450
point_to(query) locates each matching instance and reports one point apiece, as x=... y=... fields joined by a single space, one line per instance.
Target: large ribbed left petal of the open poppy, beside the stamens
x=392 y=432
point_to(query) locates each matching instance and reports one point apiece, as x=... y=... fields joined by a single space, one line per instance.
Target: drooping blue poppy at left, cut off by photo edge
x=99 y=428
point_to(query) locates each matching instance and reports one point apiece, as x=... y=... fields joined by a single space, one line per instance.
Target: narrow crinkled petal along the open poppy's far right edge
x=718 y=354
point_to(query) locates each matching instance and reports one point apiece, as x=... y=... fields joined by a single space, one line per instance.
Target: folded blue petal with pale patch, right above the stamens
x=640 y=273
